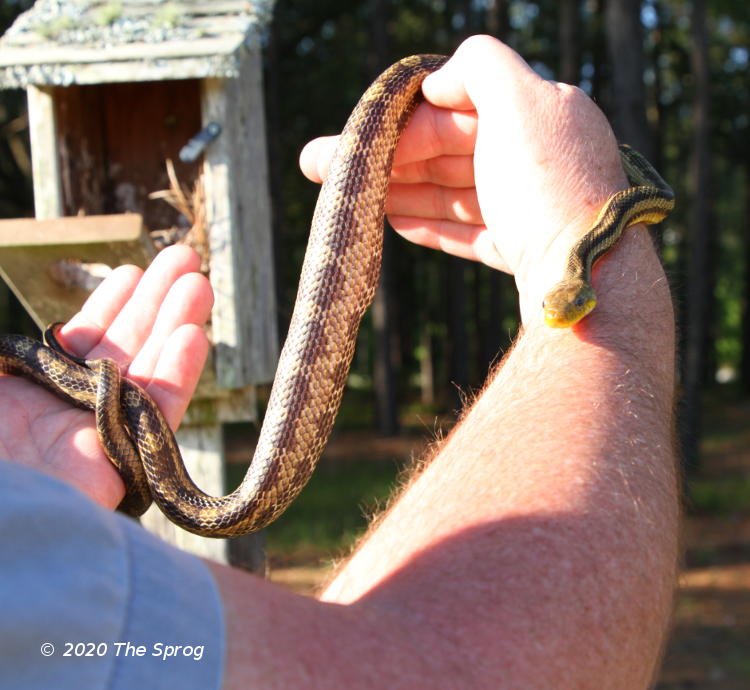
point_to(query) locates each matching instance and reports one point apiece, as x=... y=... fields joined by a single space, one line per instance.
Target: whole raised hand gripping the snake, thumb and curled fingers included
x=498 y=165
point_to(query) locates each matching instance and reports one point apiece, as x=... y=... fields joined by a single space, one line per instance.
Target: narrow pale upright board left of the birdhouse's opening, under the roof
x=44 y=160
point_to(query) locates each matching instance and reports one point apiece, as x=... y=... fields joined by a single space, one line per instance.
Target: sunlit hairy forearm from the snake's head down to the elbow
x=561 y=479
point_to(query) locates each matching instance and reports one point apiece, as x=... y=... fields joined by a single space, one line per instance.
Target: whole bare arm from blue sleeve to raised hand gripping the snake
x=537 y=549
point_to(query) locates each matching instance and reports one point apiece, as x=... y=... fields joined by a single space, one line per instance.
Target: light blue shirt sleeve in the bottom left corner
x=89 y=599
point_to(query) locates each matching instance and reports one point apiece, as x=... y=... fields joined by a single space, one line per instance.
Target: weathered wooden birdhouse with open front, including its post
x=115 y=90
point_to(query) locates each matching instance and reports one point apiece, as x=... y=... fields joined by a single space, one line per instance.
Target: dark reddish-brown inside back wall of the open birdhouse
x=112 y=156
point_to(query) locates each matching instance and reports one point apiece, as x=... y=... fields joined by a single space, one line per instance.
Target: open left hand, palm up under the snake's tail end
x=151 y=324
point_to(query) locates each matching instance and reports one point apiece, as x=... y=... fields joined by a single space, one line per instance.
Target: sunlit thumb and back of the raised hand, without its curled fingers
x=545 y=160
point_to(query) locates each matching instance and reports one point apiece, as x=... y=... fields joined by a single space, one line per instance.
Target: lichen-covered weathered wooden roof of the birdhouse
x=64 y=42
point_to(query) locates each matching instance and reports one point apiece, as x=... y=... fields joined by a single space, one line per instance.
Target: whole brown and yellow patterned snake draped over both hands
x=339 y=277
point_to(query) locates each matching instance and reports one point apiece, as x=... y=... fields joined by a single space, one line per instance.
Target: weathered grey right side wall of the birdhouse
x=238 y=208
